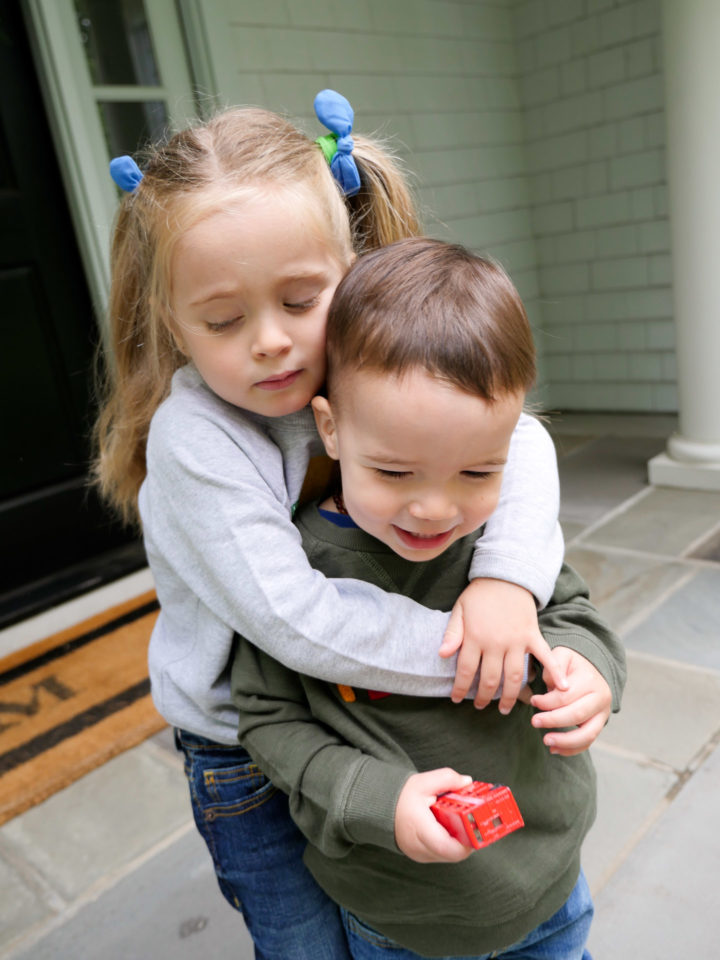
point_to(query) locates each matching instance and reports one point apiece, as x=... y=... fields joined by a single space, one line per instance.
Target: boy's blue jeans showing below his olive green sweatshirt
x=562 y=937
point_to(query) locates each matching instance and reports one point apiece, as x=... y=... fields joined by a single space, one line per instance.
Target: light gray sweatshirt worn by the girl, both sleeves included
x=216 y=510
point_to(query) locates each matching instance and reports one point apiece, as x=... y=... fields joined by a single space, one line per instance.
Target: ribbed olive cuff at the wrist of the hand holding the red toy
x=369 y=815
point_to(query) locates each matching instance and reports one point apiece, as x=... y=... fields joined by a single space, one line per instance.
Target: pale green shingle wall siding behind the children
x=535 y=132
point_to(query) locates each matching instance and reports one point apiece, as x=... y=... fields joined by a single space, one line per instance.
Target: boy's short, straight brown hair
x=435 y=305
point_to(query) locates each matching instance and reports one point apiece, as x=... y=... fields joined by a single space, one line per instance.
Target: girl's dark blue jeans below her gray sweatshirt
x=257 y=853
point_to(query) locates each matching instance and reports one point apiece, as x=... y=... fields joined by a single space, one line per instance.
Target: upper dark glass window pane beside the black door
x=117 y=42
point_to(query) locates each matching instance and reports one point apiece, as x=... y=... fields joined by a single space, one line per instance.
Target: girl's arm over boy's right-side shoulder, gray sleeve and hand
x=515 y=565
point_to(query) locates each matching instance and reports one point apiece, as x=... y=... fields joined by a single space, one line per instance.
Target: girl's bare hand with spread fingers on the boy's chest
x=494 y=624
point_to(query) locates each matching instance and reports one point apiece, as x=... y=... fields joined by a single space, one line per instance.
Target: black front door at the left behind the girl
x=56 y=540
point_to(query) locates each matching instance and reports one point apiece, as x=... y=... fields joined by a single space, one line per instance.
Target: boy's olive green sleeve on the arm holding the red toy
x=339 y=796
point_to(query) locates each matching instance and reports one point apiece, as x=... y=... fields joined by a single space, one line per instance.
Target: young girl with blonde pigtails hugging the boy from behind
x=225 y=257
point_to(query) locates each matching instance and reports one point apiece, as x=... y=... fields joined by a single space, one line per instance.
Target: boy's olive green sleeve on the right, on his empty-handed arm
x=570 y=620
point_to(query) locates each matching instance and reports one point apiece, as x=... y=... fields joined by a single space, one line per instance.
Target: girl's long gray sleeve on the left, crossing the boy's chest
x=219 y=530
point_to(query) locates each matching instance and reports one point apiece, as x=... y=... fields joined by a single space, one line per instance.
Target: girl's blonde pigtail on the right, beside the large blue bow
x=384 y=209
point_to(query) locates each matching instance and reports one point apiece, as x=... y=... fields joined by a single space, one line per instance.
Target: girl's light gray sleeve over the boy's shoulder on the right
x=523 y=542
